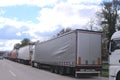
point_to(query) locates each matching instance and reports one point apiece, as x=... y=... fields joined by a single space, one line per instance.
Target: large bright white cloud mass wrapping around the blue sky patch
x=65 y=13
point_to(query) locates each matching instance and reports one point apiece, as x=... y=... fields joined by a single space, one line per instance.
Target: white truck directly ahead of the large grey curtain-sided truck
x=25 y=54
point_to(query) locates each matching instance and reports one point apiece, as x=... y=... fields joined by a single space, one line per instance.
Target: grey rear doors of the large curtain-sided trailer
x=89 y=48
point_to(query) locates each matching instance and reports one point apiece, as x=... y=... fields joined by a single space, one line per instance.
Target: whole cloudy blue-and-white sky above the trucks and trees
x=42 y=19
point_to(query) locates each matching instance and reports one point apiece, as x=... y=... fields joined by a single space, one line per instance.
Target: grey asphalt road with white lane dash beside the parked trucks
x=10 y=70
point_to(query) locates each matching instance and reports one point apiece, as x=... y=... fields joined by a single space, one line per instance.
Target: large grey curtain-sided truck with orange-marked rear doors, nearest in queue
x=77 y=52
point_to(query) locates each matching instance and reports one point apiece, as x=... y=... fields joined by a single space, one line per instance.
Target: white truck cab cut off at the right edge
x=114 y=56
